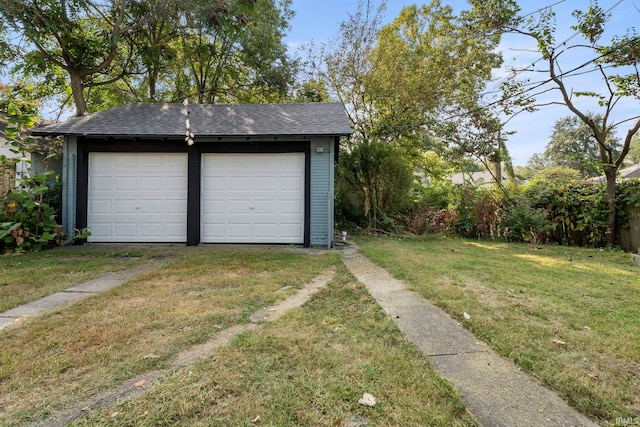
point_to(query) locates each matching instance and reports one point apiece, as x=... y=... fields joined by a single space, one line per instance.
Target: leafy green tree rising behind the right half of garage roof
x=234 y=51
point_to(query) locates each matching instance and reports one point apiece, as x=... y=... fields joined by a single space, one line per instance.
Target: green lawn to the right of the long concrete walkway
x=570 y=316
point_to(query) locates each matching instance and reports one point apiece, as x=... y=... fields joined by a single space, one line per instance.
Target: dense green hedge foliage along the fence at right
x=566 y=212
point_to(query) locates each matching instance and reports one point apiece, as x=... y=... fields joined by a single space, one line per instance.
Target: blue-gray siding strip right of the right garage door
x=322 y=192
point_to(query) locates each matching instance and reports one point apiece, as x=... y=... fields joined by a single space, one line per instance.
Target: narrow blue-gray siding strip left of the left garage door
x=69 y=180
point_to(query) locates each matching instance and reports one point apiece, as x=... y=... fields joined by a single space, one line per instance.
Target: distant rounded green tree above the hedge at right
x=573 y=145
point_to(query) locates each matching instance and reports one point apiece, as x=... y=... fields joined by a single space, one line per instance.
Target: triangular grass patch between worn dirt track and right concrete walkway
x=309 y=368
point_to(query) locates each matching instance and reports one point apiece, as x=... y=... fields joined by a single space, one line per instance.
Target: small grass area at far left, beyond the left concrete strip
x=31 y=276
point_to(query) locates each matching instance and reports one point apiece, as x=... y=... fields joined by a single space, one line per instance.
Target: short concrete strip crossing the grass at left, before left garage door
x=75 y=293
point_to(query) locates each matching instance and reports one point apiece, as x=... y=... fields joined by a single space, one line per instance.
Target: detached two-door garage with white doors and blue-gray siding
x=255 y=173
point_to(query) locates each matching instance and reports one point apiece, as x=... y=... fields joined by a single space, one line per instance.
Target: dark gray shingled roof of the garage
x=168 y=120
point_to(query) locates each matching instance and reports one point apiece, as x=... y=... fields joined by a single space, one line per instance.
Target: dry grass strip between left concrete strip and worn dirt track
x=76 y=352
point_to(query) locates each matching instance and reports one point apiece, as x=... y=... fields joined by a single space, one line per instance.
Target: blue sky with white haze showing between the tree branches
x=319 y=21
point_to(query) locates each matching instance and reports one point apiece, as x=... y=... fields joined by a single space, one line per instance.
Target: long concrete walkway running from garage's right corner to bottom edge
x=494 y=390
